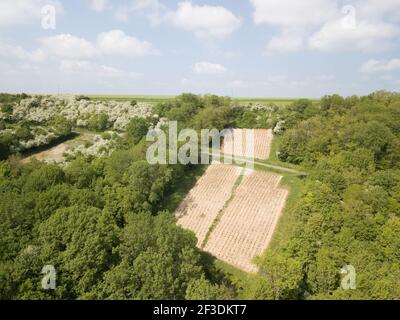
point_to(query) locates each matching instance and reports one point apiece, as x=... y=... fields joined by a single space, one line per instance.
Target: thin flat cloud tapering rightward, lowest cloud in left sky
x=94 y=69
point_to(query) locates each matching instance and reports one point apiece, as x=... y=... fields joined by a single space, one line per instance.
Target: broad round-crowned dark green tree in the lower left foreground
x=79 y=242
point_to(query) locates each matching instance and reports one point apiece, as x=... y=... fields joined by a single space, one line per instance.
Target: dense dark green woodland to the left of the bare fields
x=102 y=223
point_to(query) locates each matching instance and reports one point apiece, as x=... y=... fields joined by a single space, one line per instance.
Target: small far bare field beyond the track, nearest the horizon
x=238 y=143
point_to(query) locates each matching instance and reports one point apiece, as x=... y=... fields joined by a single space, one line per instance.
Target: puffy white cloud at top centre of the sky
x=204 y=20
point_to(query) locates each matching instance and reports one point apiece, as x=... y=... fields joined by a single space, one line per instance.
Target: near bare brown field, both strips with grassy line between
x=233 y=216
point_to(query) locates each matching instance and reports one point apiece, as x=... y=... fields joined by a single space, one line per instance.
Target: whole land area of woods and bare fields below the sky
x=118 y=227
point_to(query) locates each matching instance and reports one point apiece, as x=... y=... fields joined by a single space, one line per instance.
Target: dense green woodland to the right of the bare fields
x=349 y=212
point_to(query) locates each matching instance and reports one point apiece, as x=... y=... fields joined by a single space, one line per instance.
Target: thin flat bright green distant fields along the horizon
x=155 y=99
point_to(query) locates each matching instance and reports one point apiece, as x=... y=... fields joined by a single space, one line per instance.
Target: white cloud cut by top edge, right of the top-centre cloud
x=293 y=13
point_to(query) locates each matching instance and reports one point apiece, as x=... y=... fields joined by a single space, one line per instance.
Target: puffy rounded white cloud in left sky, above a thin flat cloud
x=116 y=42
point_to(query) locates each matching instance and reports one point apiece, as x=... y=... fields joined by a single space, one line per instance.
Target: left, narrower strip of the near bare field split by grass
x=203 y=203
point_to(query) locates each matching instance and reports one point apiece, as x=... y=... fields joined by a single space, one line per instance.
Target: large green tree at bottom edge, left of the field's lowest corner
x=159 y=260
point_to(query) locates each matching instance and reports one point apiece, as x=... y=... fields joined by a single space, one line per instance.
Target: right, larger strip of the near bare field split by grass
x=247 y=224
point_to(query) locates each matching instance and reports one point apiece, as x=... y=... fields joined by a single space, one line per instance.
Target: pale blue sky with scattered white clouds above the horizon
x=263 y=48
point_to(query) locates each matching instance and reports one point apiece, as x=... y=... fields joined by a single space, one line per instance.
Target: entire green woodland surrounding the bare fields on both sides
x=105 y=224
